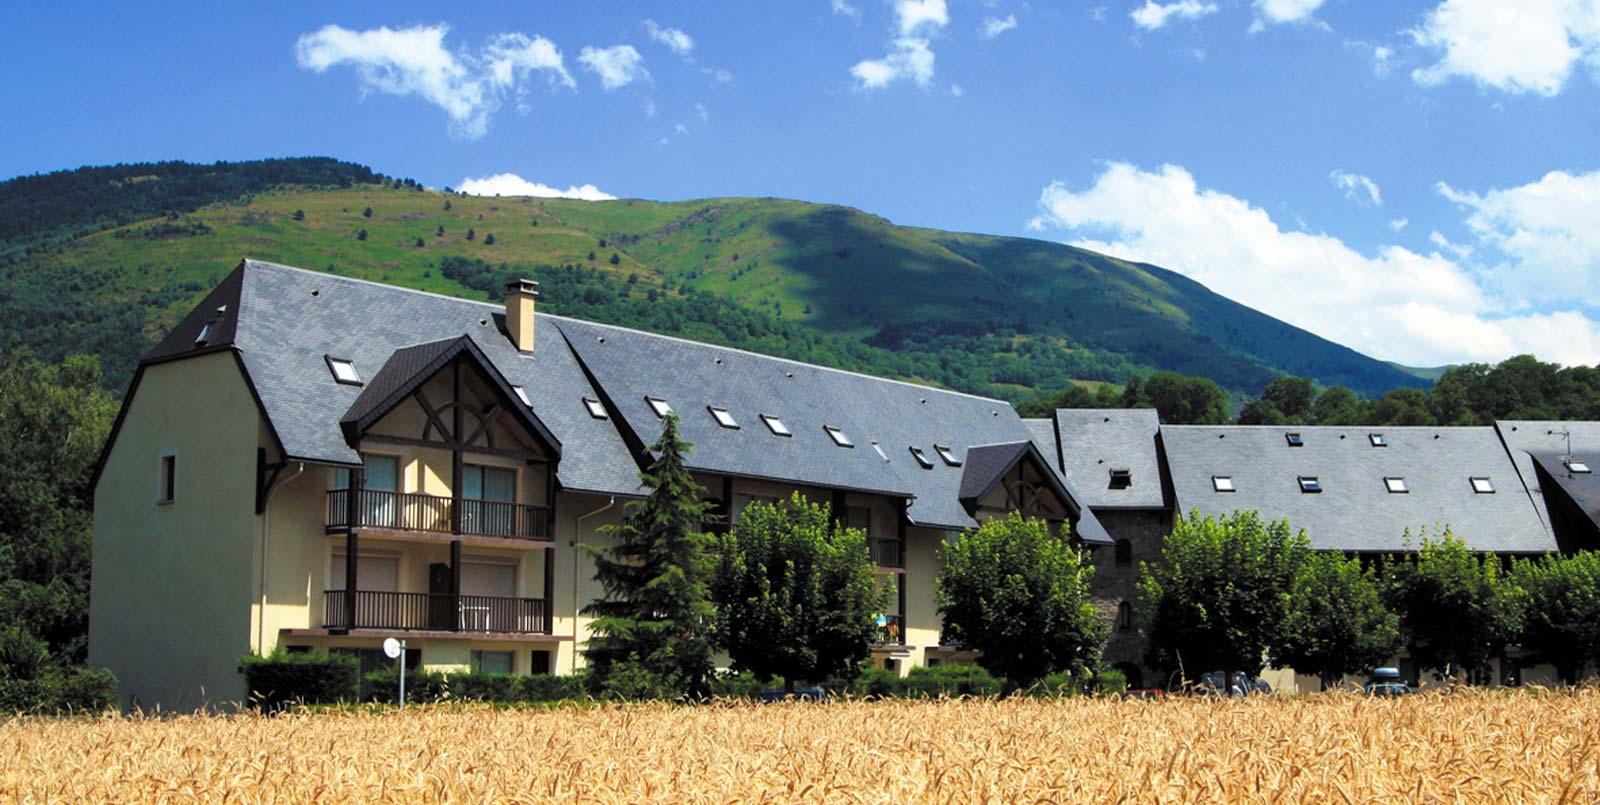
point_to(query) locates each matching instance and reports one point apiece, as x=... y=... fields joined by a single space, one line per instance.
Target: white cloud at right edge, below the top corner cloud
x=1545 y=233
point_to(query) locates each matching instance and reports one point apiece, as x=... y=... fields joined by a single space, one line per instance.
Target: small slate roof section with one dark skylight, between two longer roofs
x=1095 y=441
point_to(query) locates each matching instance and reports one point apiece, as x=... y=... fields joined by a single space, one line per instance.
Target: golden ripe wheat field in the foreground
x=1473 y=747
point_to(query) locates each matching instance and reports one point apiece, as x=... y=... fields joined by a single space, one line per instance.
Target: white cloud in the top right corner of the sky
x=1524 y=47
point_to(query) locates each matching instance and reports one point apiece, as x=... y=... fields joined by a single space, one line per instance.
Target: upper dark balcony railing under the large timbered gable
x=407 y=511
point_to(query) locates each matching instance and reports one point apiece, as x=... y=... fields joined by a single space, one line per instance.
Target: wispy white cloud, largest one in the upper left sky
x=417 y=62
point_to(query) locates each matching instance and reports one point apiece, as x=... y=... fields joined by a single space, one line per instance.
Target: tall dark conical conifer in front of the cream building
x=652 y=633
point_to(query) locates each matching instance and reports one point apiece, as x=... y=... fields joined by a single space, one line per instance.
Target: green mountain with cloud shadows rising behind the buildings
x=103 y=260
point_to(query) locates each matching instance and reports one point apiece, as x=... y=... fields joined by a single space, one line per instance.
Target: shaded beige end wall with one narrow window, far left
x=170 y=585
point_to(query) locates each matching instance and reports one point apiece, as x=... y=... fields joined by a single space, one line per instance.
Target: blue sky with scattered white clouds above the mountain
x=1420 y=182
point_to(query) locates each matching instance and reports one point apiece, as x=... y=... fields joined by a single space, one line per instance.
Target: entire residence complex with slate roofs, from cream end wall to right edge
x=318 y=463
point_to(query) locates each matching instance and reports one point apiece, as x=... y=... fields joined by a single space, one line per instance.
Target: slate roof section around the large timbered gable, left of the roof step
x=290 y=319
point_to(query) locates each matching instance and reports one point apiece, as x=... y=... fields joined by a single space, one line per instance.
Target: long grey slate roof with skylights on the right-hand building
x=1356 y=511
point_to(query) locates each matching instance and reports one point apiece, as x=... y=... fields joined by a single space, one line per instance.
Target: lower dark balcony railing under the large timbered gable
x=436 y=612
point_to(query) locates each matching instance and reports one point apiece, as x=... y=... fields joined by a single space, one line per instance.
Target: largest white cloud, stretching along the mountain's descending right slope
x=1398 y=305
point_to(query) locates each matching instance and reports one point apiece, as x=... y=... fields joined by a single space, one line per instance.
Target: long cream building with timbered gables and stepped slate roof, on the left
x=319 y=463
